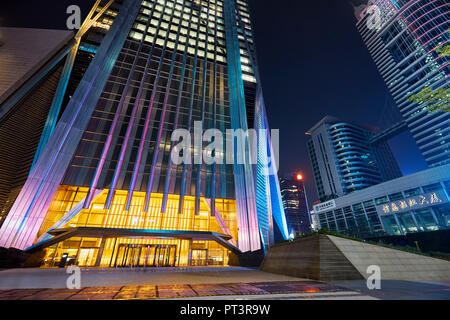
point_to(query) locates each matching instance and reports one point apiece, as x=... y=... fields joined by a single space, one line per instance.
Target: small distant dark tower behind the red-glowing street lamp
x=295 y=205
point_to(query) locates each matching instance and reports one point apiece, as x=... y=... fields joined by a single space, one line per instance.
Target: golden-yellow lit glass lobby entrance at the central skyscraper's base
x=98 y=237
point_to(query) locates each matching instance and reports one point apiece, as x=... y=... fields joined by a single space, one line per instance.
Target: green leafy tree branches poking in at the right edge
x=439 y=99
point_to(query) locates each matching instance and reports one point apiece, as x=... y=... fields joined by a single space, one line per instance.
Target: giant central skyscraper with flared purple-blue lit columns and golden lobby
x=105 y=190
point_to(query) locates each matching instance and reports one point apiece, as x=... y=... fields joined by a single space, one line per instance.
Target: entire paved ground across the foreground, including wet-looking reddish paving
x=199 y=283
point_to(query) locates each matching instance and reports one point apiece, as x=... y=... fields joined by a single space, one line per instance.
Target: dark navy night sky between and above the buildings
x=312 y=63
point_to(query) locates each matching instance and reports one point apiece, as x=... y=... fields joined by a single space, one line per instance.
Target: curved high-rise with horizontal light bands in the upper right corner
x=405 y=44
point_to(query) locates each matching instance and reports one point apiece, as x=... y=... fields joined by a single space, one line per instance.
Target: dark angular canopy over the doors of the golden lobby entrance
x=90 y=232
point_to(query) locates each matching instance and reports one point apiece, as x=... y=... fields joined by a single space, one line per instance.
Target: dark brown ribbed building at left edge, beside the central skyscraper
x=31 y=65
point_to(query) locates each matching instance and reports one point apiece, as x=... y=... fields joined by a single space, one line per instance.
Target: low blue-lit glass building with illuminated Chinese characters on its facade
x=414 y=203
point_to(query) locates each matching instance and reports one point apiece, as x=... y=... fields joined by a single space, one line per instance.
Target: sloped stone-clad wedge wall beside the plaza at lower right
x=327 y=258
